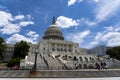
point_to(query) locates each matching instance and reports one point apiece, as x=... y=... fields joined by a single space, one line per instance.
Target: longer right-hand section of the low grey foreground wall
x=77 y=73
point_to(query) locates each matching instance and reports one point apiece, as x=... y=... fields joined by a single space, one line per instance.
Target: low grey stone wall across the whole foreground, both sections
x=88 y=73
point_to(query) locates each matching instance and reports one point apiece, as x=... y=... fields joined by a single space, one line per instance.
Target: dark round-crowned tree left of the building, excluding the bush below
x=21 y=49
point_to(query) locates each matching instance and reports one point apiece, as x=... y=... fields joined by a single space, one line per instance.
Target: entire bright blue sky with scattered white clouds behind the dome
x=87 y=22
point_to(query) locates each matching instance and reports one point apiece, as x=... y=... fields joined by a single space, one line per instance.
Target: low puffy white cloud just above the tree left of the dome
x=31 y=37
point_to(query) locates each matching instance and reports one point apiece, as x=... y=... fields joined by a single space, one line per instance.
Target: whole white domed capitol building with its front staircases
x=55 y=53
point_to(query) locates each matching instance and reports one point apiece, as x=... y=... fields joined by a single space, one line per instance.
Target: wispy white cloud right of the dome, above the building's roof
x=78 y=37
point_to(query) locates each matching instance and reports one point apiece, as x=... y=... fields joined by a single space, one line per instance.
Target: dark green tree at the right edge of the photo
x=114 y=52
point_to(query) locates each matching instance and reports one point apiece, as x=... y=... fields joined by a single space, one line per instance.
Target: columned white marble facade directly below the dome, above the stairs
x=62 y=48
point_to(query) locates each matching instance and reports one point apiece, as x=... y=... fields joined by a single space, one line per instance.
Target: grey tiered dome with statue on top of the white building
x=53 y=32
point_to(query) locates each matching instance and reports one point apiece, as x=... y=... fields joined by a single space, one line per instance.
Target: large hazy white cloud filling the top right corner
x=106 y=8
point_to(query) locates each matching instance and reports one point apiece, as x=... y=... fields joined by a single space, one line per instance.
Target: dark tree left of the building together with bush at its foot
x=20 y=51
